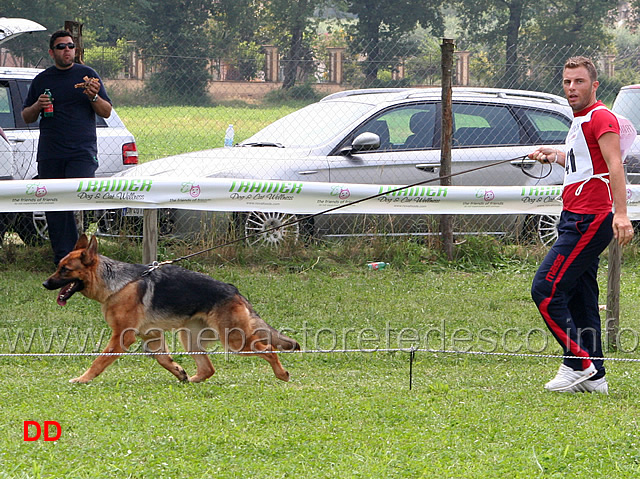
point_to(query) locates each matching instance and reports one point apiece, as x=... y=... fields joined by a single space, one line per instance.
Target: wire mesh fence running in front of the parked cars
x=179 y=108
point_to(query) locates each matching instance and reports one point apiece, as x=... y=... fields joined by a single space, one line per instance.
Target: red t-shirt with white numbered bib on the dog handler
x=586 y=180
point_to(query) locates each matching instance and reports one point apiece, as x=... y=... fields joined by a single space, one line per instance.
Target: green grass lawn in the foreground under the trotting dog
x=342 y=414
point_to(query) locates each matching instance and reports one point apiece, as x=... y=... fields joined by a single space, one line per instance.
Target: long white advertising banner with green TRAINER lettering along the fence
x=234 y=194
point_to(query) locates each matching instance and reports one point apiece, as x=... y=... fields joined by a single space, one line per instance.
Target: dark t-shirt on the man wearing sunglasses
x=71 y=132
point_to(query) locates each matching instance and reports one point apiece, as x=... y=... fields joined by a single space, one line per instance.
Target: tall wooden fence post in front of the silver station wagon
x=446 y=221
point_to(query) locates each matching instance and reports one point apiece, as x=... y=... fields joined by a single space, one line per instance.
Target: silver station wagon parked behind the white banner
x=379 y=136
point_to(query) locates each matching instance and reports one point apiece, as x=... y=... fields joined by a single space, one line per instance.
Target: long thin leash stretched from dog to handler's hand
x=155 y=265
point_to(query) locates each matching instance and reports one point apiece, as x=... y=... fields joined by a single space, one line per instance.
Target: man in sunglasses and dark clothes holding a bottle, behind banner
x=68 y=146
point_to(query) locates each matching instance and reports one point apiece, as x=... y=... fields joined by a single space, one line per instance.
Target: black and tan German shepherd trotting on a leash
x=140 y=303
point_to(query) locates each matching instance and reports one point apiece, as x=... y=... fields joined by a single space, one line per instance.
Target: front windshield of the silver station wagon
x=311 y=126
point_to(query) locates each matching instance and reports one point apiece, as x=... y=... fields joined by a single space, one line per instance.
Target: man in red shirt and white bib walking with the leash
x=565 y=287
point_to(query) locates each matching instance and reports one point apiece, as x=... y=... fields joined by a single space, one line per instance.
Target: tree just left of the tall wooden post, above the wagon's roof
x=384 y=23
